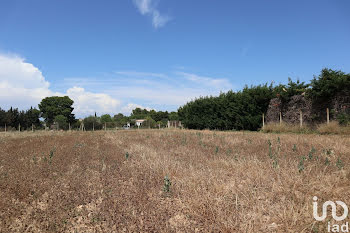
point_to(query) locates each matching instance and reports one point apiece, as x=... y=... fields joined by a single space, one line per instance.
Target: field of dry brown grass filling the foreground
x=220 y=181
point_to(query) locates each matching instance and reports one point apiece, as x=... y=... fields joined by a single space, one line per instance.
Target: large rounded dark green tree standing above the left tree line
x=50 y=107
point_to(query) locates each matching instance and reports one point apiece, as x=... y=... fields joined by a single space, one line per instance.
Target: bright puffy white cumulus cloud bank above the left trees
x=22 y=85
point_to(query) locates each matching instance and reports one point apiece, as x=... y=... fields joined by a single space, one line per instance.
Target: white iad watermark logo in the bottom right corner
x=333 y=205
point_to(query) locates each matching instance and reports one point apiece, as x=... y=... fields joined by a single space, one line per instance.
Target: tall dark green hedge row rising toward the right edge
x=242 y=110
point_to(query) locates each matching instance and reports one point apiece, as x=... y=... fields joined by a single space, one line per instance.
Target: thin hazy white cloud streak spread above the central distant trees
x=162 y=91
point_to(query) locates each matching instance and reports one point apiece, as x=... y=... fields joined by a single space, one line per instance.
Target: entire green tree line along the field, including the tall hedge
x=241 y=110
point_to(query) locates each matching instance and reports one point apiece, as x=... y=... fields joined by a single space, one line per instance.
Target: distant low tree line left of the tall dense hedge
x=56 y=113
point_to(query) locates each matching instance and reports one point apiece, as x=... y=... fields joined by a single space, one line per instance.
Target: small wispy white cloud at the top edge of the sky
x=148 y=7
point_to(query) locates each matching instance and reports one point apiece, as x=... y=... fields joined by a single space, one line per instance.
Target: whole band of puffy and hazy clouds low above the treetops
x=23 y=85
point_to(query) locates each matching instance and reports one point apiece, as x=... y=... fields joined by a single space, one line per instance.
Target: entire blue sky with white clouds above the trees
x=112 y=56
